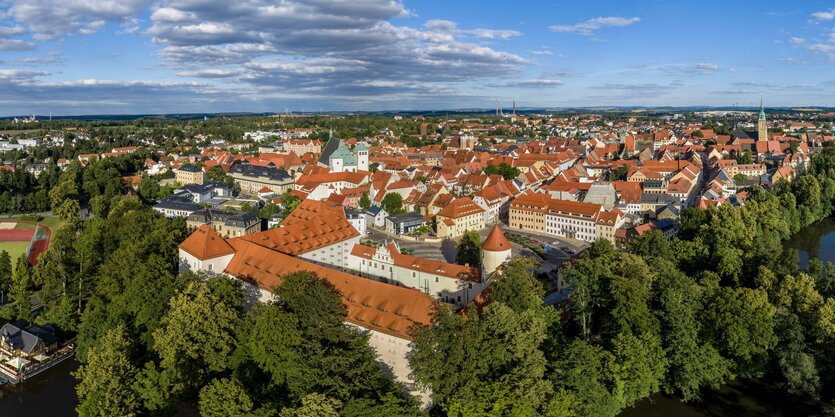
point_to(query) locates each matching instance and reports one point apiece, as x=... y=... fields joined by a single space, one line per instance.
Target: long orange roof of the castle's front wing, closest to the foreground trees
x=385 y=308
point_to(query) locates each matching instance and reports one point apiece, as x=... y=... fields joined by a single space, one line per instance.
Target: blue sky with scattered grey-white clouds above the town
x=71 y=57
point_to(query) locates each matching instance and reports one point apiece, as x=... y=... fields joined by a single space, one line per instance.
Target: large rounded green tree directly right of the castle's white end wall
x=508 y=379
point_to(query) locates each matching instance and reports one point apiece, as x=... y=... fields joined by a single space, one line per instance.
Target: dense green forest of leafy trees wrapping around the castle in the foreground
x=722 y=300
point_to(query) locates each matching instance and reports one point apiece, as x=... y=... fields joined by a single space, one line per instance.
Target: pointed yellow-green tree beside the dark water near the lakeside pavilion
x=105 y=381
